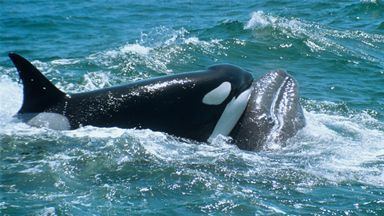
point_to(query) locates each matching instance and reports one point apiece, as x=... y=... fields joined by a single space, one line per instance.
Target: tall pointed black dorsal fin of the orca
x=39 y=92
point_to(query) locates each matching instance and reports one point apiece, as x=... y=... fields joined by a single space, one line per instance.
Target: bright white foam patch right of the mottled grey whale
x=340 y=148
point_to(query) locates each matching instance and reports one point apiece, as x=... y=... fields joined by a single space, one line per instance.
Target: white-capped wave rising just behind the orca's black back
x=155 y=53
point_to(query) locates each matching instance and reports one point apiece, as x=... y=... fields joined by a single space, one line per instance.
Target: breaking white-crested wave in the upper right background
x=315 y=37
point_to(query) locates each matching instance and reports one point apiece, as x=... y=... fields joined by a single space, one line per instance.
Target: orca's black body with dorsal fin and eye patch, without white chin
x=175 y=104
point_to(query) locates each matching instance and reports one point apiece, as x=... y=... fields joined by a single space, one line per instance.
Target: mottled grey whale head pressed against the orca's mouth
x=273 y=114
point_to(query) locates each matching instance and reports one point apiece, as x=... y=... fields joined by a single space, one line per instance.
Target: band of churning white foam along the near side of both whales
x=332 y=148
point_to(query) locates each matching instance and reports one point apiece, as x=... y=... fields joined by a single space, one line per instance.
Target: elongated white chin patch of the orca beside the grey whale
x=231 y=115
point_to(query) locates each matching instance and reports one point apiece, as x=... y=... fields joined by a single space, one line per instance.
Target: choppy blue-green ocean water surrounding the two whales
x=333 y=166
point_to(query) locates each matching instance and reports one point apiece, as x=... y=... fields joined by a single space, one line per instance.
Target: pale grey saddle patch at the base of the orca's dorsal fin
x=53 y=121
